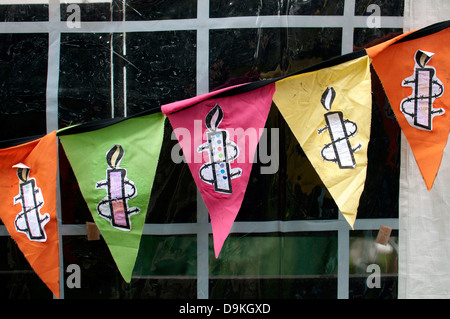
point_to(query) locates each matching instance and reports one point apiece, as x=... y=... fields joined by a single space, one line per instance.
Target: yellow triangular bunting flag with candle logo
x=329 y=111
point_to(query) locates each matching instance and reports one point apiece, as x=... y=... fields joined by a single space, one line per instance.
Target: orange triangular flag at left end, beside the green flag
x=28 y=204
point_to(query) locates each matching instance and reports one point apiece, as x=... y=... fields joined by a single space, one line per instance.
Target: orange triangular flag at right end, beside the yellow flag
x=414 y=72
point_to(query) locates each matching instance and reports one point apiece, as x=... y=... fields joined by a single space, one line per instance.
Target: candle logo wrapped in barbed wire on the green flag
x=119 y=189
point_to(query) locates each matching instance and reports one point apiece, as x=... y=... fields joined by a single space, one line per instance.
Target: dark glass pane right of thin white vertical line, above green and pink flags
x=161 y=68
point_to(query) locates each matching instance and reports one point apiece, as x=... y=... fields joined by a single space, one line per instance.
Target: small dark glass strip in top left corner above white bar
x=23 y=12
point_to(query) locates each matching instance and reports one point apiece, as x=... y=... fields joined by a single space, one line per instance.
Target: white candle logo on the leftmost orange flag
x=30 y=221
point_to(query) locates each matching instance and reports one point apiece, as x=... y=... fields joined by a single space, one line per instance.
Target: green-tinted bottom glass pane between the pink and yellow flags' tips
x=290 y=265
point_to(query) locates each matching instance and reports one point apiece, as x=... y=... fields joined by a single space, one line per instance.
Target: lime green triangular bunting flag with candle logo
x=115 y=166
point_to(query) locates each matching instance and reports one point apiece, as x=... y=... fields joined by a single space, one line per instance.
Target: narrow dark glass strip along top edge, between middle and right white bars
x=223 y=8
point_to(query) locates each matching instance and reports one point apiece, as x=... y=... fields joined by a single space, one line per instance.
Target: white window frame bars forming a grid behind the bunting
x=202 y=24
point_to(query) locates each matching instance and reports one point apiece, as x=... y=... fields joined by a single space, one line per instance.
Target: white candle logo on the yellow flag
x=339 y=150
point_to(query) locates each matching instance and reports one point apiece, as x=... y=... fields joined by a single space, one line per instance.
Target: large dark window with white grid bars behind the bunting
x=122 y=57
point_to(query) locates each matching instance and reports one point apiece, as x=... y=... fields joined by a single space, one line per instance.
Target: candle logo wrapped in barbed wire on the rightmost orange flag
x=418 y=107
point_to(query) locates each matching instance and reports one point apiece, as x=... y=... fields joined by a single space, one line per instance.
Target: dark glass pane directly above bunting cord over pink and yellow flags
x=246 y=55
